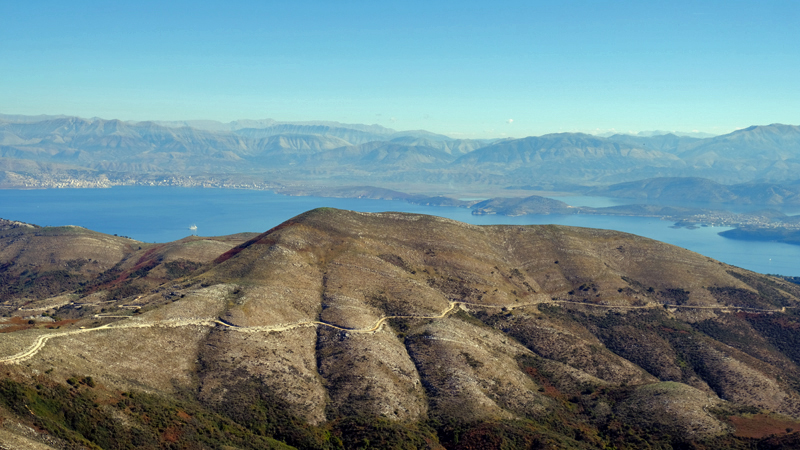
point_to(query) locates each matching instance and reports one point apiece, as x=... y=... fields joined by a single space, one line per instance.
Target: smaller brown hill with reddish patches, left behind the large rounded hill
x=37 y=263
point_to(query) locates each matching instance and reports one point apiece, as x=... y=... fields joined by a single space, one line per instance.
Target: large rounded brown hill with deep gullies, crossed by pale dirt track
x=423 y=323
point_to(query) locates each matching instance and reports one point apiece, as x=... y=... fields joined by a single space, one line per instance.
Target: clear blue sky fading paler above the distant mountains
x=462 y=68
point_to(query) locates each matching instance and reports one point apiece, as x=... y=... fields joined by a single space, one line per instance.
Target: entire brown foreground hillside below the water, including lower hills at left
x=339 y=329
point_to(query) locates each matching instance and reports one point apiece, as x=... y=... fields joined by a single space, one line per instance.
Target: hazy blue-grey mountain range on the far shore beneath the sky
x=330 y=152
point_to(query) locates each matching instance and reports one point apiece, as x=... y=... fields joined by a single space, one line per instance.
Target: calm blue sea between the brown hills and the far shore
x=163 y=214
